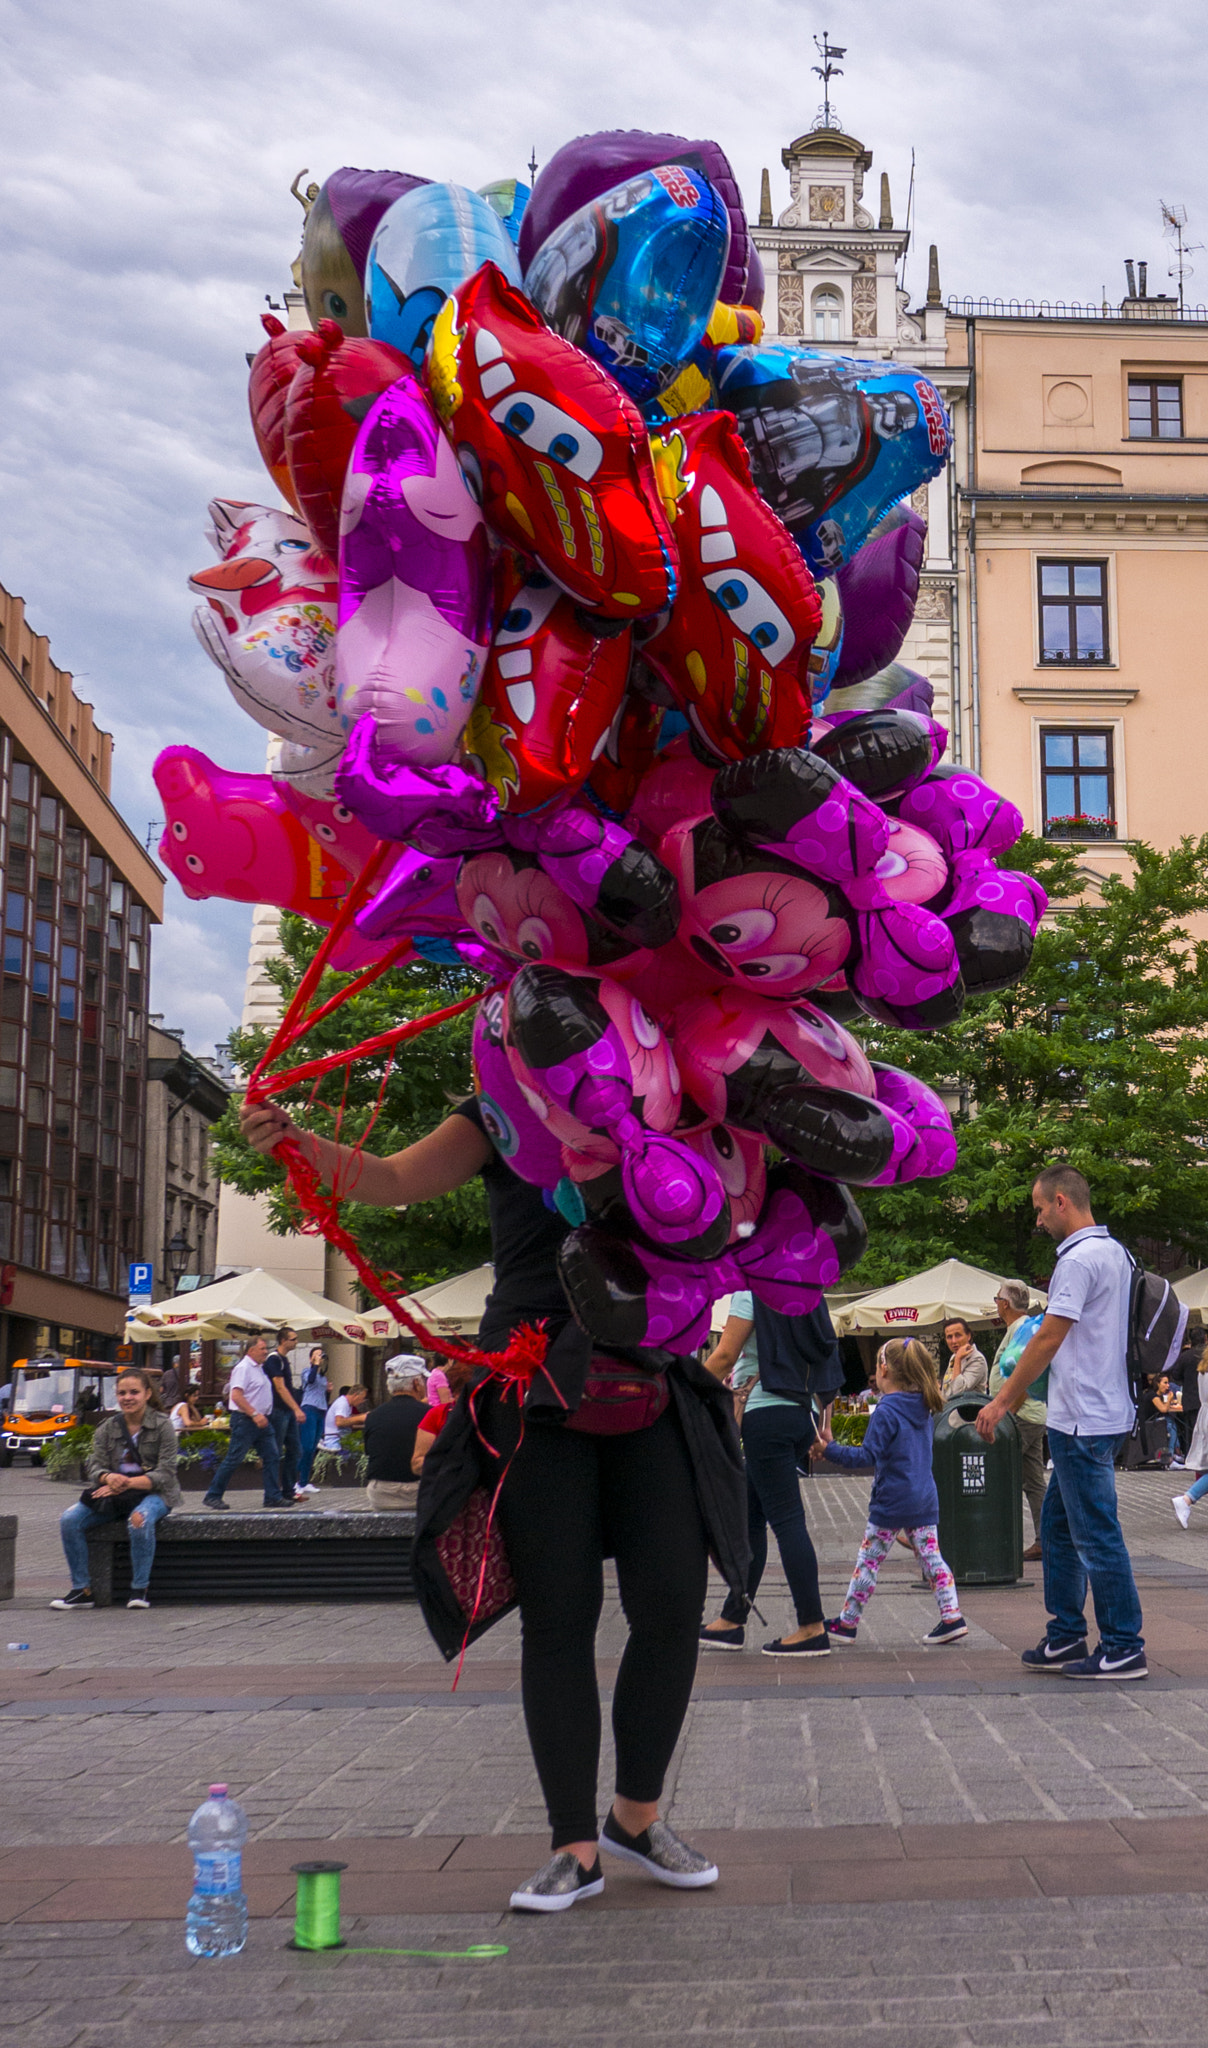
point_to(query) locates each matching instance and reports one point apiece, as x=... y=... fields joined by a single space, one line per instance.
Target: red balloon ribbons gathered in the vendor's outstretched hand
x=320 y=1209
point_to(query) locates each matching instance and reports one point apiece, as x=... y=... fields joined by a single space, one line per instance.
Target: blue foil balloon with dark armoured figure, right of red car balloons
x=834 y=441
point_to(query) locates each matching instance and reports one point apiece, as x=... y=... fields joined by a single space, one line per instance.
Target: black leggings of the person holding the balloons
x=568 y=1504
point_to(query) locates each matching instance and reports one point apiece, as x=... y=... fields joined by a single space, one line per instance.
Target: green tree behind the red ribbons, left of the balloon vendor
x=429 y=1074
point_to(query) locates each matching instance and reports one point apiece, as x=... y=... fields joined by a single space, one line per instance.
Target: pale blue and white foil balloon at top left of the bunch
x=425 y=247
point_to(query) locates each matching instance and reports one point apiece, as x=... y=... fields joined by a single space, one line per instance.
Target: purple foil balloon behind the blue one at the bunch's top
x=593 y=165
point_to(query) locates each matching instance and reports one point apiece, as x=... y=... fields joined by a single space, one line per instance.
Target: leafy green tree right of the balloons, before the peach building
x=1096 y=1058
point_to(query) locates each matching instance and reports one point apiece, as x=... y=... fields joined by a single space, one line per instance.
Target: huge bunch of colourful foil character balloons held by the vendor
x=589 y=603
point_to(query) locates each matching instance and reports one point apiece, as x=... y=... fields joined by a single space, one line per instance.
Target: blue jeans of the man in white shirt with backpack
x=1080 y=1531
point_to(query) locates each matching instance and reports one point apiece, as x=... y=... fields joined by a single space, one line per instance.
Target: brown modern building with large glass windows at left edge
x=81 y=898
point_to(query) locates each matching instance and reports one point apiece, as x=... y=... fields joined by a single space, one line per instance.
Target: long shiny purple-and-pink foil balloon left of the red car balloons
x=415 y=585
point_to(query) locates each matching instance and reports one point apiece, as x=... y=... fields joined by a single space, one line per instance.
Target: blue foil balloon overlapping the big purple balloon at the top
x=634 y=275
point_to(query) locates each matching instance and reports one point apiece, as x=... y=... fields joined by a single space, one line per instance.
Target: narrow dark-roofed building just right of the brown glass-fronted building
x=181 y=1191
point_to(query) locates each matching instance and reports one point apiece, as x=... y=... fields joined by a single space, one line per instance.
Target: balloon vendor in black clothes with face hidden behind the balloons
x=658 y=1500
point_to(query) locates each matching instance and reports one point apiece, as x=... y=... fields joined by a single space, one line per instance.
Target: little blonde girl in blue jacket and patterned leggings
x=898 y=1447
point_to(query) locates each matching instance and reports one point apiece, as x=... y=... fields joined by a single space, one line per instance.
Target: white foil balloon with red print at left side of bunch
x=269 y=622
